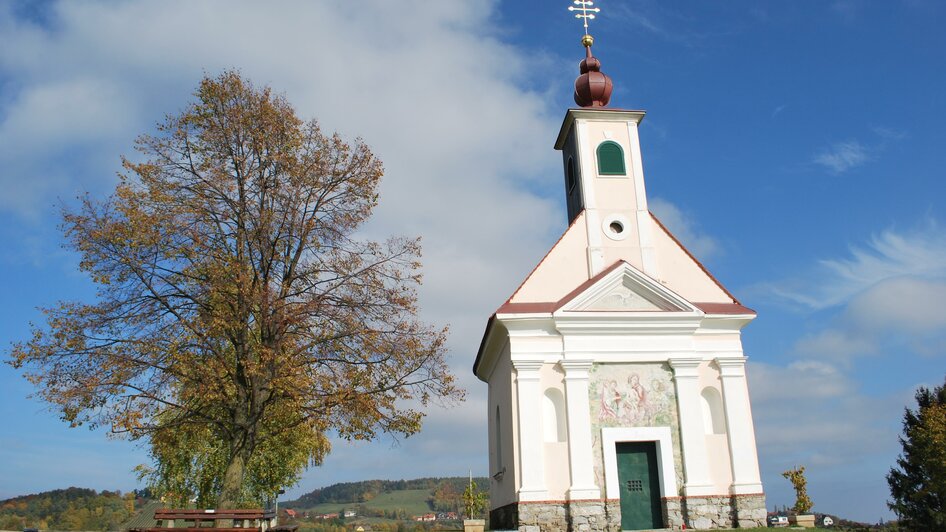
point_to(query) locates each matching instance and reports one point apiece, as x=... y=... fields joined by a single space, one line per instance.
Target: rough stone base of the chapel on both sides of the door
x=701 y=513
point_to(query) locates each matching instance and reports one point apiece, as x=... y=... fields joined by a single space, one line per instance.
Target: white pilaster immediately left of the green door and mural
x=579 y=430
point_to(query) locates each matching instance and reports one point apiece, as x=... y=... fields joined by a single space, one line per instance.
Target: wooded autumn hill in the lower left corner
x=67 y=509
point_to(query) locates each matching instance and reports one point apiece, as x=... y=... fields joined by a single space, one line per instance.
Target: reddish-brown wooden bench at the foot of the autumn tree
x=207 y=520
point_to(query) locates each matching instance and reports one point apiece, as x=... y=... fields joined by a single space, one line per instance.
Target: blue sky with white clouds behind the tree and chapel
x=797 y=148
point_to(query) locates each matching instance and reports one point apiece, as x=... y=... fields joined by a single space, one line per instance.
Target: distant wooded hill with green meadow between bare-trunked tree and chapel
x=389 y=497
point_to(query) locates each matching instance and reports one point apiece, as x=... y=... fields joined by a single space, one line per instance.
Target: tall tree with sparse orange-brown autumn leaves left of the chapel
x=239 y=318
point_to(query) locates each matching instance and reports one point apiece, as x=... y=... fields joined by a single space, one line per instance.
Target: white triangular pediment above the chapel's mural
x=626 y=289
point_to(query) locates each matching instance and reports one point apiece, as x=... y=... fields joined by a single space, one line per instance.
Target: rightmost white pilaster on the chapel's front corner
x=742 y=449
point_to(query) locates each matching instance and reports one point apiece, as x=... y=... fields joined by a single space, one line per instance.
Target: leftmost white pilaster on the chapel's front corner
x=531 y=455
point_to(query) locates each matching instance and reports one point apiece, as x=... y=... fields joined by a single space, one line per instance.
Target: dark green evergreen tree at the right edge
x=918 y=482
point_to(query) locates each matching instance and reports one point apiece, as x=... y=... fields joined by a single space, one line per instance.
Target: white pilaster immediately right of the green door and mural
x=692 y=433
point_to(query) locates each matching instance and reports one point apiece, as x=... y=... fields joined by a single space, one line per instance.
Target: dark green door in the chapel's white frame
x=640 y=485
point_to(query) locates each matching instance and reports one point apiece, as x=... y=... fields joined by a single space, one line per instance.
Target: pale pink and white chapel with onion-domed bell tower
x=617 y=386
